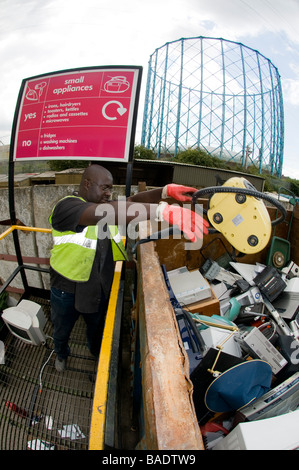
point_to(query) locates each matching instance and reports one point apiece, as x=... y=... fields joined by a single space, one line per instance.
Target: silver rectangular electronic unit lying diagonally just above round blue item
x=257 y=345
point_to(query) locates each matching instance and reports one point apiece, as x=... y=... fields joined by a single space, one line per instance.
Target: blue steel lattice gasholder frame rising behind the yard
x=218 y=95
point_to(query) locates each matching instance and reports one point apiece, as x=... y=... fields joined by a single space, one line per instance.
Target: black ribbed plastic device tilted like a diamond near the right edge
x=270 y=283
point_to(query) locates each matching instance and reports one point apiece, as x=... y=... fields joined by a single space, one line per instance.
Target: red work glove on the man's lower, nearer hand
x=191 y=223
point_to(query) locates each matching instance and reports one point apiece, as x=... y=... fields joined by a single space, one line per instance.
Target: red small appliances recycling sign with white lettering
x=77 y=114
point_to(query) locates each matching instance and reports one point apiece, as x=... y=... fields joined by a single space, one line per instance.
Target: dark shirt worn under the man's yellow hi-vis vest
x=88 y=294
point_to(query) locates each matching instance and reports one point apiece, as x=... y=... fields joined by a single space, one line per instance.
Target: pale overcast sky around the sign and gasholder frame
x=41 y=36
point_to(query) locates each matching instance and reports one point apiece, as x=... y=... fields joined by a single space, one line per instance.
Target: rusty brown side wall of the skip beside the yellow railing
x=169 y=416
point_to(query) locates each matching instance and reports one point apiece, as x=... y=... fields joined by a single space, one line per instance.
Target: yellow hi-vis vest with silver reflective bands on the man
x=73 y=253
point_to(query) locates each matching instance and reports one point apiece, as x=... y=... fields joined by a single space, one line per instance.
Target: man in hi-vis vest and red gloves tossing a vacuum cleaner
x=86 y=243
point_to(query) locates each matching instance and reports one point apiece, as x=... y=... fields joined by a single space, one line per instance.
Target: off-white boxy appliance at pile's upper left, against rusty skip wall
x=188 y=286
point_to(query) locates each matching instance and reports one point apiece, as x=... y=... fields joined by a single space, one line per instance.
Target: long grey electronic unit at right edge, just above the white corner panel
x=281 y=399
